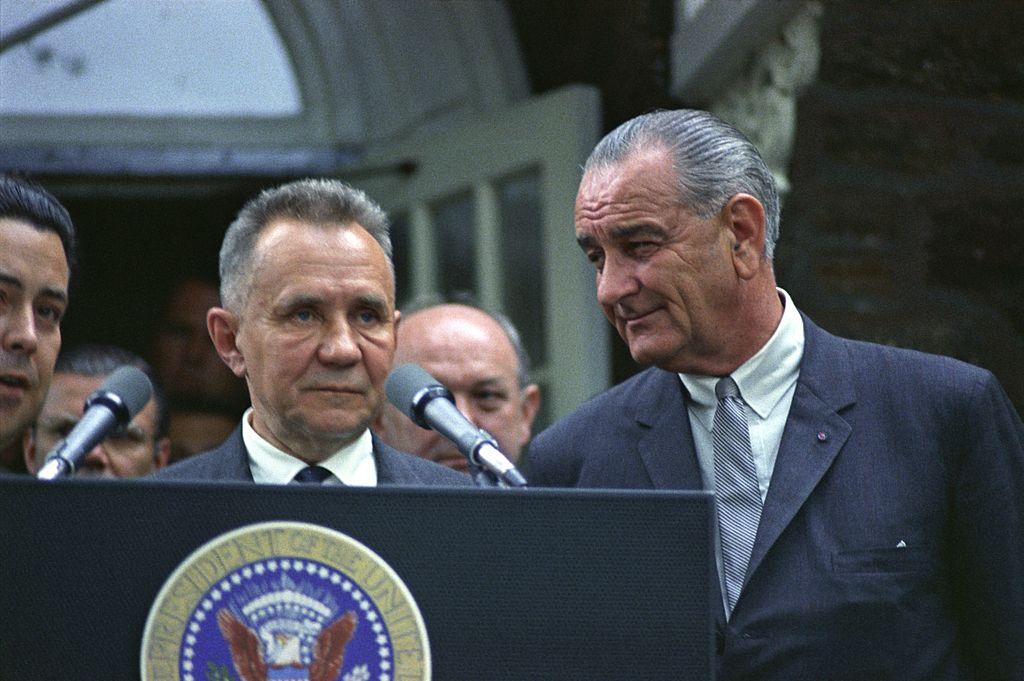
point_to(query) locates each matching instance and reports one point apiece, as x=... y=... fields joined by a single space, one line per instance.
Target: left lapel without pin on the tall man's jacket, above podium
x=666 y=445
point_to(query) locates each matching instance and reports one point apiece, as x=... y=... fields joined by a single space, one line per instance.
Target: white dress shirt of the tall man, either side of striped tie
x=767 y=382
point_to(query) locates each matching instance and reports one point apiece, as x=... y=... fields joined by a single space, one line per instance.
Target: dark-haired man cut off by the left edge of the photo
x=37 y=253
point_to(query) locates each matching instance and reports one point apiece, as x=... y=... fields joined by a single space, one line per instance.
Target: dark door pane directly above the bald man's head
x=453 y=221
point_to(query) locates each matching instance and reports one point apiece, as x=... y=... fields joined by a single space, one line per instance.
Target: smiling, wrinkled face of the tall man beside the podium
x=666 y=279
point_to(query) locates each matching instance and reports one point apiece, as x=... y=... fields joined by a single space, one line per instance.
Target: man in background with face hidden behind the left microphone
x=134 y=451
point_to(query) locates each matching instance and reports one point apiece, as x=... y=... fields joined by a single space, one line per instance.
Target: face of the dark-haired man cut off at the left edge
x=33 y=299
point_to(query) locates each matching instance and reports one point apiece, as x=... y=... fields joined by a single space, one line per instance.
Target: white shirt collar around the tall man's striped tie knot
x=763 y=379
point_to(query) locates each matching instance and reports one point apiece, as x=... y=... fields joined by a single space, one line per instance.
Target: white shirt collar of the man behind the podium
x=354 y=464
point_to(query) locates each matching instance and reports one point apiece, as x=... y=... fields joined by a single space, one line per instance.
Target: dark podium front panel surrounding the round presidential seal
x=518 y=585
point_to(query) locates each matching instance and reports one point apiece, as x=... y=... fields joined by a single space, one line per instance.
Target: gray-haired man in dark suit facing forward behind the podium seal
x=309 y=321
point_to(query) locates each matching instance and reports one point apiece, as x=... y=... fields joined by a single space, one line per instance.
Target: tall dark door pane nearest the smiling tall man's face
x=520 y=199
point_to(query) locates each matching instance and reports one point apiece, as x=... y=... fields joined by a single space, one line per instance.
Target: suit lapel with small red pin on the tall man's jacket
x=814 y=437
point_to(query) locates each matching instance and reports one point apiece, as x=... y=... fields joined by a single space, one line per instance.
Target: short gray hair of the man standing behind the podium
x=319 y=202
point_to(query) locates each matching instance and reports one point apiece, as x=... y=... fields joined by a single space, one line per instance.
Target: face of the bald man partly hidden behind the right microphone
x=471 y=355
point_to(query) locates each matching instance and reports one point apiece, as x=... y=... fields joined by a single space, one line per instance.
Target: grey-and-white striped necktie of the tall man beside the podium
x=737 y=491
